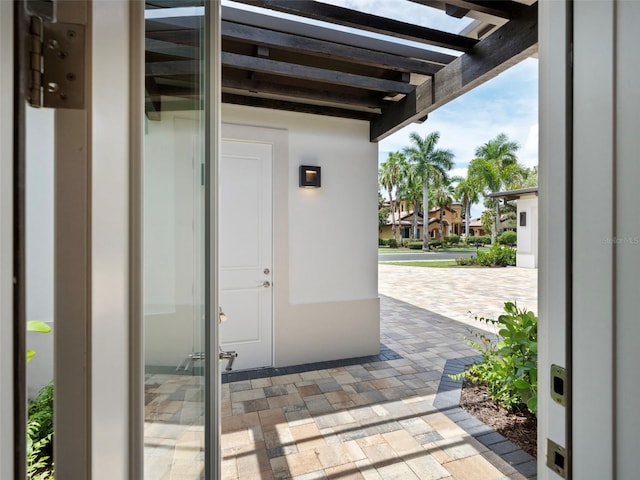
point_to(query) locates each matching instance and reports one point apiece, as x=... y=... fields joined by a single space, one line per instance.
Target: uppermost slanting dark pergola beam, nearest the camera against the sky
x=365 y=21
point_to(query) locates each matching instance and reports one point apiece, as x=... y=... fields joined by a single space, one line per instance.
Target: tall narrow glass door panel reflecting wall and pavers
x=174 y=253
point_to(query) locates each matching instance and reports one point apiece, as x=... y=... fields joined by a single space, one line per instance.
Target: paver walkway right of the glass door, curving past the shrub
x=377 y=419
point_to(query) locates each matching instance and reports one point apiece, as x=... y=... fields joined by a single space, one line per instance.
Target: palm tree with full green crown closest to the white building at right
x=495 y=165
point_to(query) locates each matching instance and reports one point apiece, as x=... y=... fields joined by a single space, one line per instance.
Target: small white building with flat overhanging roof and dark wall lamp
x=527 y=224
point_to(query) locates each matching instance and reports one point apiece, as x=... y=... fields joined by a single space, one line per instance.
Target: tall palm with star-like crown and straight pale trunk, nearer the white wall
x=432 y=165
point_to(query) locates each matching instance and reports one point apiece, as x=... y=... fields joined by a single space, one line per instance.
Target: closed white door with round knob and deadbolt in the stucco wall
x=245 y=254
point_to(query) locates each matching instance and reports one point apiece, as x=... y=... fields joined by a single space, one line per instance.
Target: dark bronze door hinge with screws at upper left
x=56 y=65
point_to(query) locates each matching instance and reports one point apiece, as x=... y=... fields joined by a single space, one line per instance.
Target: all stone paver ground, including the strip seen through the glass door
x=392 y=416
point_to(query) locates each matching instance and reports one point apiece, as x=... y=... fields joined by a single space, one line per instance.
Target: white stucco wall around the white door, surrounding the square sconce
x=325 y=285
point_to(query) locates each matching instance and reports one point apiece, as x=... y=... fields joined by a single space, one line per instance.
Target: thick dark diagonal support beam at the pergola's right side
x=512 y=43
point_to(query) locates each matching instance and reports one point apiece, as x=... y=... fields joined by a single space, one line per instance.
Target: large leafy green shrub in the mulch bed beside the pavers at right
x=509 y=366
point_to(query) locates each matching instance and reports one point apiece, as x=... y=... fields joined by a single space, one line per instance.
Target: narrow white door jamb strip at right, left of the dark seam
x=553 y=216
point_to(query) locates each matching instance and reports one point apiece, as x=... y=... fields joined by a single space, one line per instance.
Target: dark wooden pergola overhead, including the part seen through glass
x=303 y=59
